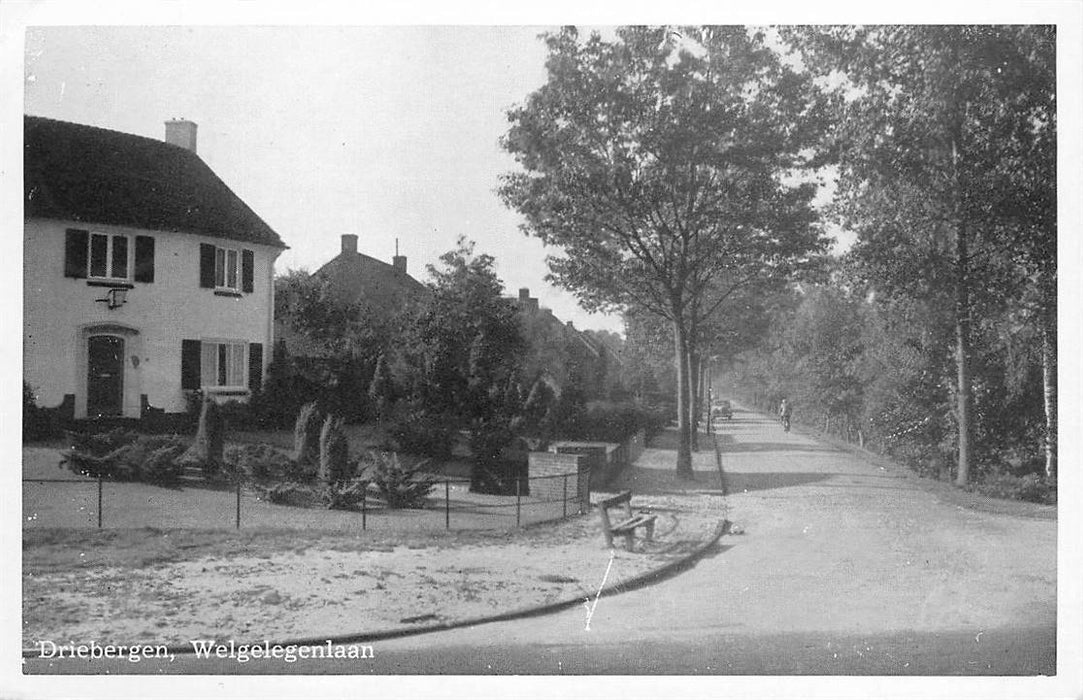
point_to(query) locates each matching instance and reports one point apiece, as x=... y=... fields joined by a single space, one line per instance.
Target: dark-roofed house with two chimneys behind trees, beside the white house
x=357 y=279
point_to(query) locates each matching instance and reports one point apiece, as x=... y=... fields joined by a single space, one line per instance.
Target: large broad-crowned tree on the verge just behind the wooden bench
x=657 y=162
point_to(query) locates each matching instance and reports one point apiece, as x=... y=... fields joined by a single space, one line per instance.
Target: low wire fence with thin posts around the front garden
x=450 y=505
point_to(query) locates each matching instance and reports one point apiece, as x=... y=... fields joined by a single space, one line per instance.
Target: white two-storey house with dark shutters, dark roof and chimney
x=146 y=278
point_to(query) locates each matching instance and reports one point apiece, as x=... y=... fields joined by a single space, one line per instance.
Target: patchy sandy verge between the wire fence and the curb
x=172 y=587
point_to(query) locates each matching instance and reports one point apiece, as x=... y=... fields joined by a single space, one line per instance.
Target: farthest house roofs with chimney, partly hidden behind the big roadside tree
x=563 y=355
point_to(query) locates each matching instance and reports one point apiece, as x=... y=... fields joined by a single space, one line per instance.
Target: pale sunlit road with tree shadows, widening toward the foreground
x=844 y=568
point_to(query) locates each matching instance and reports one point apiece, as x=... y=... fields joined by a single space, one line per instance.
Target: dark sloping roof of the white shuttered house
x=72 y=172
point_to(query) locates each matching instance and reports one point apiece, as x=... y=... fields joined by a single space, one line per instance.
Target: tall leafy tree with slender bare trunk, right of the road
x=932 y=120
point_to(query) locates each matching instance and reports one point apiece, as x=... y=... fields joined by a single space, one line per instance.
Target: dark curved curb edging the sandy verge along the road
x=636 y=582
